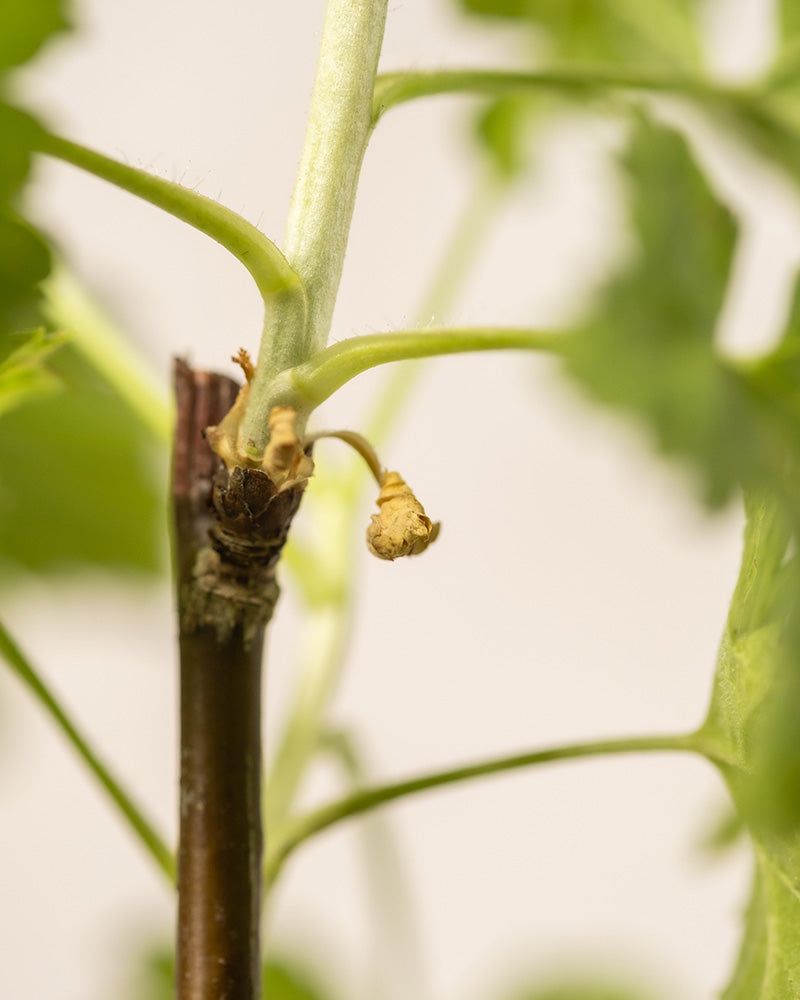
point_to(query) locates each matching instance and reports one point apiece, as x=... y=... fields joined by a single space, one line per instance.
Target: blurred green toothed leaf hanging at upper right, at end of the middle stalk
x=647 y=345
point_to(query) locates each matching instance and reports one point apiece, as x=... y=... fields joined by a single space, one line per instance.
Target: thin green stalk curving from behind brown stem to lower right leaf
x=286 y=841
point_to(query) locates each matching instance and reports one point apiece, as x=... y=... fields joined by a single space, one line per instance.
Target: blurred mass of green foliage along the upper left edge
x=80 y=476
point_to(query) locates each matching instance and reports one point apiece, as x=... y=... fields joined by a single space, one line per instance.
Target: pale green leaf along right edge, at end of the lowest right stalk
x=752 y=723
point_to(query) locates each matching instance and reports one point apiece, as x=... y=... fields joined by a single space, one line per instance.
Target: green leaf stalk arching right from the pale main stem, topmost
x=392 y=89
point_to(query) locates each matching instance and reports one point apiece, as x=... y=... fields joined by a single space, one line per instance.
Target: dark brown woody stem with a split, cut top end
x=229 y=529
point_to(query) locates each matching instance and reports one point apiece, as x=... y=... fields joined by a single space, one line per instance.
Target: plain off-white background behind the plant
x=576 y=590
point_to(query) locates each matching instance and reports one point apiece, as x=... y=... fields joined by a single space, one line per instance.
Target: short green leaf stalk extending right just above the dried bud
x=310 y=384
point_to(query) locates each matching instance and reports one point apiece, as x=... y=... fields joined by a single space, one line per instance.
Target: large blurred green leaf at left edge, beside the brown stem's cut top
x=82 y=479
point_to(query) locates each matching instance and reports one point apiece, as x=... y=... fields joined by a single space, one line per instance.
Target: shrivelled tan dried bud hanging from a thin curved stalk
x=402 y=528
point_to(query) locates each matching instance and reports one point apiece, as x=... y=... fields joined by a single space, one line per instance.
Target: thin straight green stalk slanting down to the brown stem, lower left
x=143 y=829
